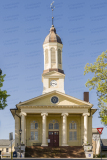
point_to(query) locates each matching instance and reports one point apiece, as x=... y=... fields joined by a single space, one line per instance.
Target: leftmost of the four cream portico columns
x=23 y=127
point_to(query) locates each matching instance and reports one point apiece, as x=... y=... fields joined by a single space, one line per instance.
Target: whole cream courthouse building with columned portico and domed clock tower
x=54 y=118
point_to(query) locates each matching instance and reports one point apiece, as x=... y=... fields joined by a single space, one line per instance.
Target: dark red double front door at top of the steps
x=54 y=138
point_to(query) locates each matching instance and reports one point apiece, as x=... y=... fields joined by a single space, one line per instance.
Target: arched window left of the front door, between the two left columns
x=34 y=130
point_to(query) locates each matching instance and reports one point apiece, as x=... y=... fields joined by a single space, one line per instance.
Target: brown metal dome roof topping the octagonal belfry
x=52 y=36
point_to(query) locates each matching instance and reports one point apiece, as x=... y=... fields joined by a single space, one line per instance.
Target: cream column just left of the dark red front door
x=44 y=142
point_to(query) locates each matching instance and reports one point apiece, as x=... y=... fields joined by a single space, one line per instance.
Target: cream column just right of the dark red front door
x=64 y=129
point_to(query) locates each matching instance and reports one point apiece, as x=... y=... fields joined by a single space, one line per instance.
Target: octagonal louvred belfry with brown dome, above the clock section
x=52 y=51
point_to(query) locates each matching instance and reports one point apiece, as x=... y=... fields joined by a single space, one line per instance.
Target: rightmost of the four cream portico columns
x=85 y=127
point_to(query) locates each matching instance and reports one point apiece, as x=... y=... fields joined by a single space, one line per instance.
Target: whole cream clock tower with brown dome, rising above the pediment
x=53 y=75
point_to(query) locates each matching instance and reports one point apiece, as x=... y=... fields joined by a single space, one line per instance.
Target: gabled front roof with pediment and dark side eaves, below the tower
x=40 y=101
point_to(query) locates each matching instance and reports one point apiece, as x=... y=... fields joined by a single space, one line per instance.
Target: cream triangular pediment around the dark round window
x=63 y=100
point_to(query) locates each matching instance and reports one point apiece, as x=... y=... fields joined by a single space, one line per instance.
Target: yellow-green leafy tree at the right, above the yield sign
x=99 y=82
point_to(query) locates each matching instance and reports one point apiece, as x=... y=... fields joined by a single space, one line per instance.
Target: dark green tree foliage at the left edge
x=3 y=94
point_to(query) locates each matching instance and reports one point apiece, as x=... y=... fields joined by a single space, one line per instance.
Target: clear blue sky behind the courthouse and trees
x=82 y=26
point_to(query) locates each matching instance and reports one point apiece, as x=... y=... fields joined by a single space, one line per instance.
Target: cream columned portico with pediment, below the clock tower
x=70 y=119
